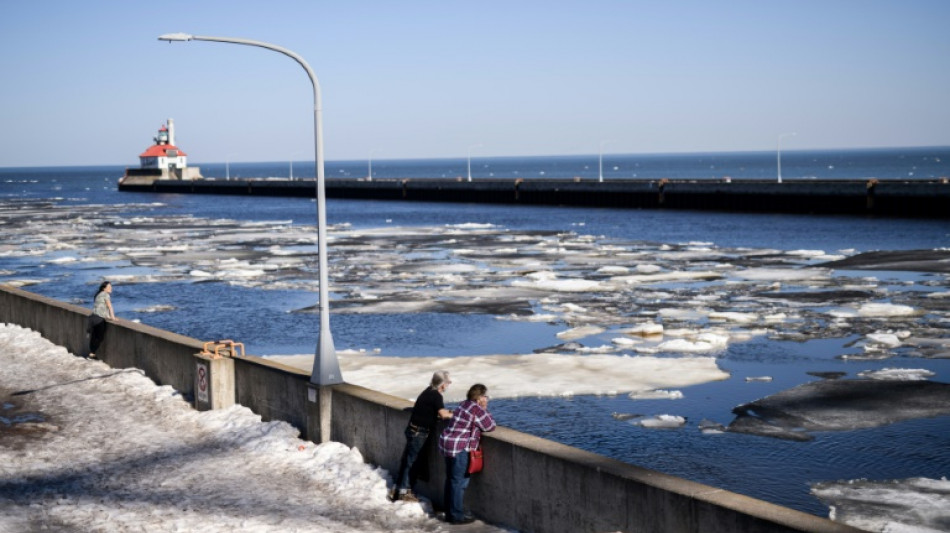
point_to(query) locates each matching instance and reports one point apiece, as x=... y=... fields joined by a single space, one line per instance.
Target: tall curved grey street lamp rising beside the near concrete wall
x=326 y=367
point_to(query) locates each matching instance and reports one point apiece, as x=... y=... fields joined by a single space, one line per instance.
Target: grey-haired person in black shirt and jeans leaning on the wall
x=429 y=408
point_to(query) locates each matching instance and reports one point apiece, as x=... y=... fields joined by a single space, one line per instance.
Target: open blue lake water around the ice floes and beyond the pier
x=776 y=470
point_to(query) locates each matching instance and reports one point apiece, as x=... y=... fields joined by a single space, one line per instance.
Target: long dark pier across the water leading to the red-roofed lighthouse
x=893 y=198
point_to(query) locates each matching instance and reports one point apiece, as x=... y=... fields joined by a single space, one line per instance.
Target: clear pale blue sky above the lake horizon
x=88 y=83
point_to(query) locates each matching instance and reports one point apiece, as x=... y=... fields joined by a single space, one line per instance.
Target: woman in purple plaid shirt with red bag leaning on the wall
x=469 y=420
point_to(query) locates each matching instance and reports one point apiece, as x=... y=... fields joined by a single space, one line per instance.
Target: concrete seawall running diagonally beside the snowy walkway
x=529 y=484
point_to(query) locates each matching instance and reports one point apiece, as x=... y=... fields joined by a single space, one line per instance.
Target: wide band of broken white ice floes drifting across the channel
x=580 y=281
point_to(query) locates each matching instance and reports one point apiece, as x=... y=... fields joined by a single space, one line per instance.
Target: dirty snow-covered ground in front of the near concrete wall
x=85 y=447
